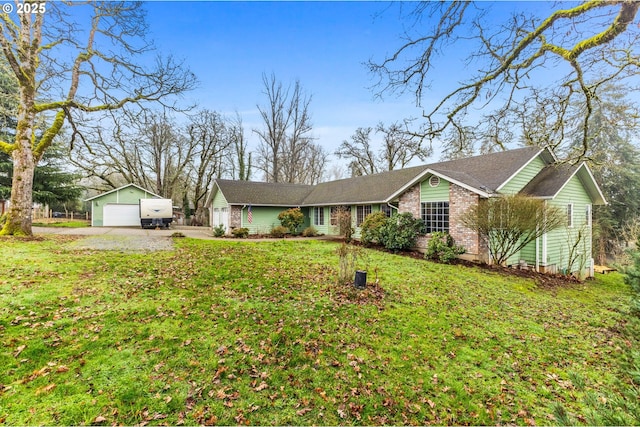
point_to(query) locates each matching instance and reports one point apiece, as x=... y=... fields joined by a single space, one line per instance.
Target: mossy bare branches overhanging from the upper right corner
x=589 y=44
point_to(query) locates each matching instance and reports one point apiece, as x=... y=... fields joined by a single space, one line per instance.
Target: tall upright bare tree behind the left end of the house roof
x=285 y=141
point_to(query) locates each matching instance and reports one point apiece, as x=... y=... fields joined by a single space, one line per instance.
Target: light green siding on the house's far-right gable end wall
x=559 y=241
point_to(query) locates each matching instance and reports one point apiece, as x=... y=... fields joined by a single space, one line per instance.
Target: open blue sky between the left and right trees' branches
x=324 y=45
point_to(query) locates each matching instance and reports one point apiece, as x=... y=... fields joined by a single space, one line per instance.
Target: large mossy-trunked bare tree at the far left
x=102 y=76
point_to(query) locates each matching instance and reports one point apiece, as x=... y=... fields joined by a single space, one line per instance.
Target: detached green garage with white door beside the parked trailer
x=119 y=207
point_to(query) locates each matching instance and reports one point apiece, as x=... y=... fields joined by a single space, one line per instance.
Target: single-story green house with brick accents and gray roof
x=439 y=193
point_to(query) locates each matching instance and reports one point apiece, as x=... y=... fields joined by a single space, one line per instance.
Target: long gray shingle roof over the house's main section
x=485 y=173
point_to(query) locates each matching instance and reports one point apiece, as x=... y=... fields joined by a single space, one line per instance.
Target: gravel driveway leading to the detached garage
x=127 y=239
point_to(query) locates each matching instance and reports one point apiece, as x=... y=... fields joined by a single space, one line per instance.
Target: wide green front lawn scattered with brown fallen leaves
x=230 y=332
